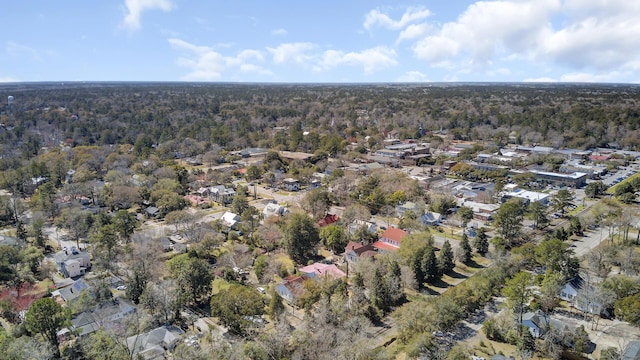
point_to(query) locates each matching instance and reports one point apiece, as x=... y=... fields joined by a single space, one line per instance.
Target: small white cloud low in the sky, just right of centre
x=370 y=59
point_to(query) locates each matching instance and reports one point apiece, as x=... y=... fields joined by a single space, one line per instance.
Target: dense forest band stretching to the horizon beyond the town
x=235 y=116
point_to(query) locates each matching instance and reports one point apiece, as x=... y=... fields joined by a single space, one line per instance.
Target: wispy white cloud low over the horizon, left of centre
x=207 y=64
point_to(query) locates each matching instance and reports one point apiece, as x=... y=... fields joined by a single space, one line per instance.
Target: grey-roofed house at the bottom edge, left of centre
x=153 y=344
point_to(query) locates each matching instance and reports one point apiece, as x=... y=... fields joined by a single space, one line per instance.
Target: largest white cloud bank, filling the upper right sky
x=594 y=39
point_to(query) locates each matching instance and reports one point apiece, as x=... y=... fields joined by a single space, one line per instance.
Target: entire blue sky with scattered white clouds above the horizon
x=321 y=41
